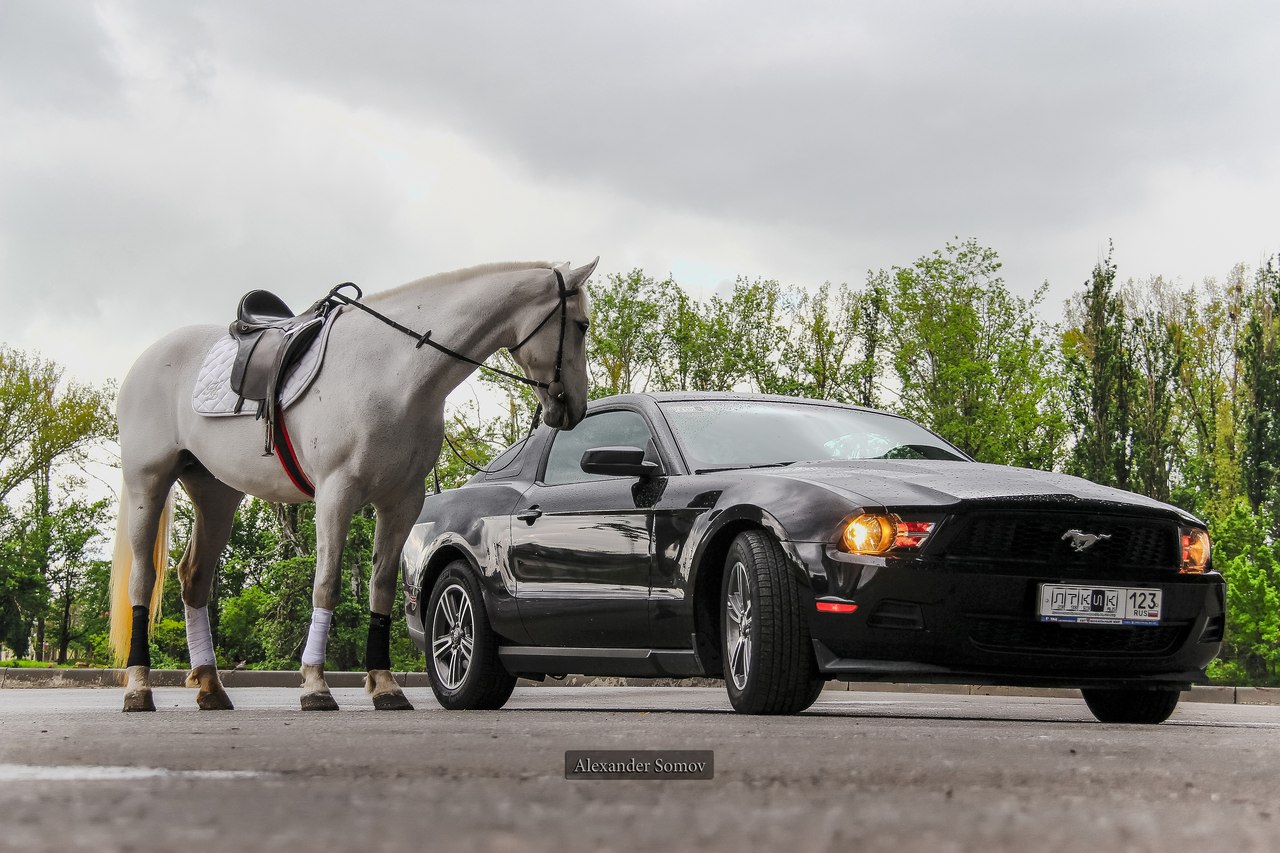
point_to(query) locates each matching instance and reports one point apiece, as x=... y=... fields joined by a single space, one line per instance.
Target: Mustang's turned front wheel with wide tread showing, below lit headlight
x=769 y=655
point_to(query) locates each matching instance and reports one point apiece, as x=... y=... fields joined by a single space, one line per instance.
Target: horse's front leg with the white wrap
x=335 y=508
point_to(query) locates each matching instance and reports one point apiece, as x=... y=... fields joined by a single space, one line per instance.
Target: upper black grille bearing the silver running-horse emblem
x=1039 y=539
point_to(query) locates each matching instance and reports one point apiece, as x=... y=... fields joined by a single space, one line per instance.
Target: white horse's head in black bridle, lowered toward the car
x=554 y=346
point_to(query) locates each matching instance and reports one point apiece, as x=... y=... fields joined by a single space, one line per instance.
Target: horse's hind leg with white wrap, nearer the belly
x=216 y=512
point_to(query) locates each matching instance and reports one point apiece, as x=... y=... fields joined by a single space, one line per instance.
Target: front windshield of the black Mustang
x=723 y=434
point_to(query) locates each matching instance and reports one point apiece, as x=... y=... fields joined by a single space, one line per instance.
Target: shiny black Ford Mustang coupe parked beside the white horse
x=780 y=544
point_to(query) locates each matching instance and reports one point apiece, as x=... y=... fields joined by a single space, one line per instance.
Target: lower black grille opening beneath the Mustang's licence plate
x=1025 y=636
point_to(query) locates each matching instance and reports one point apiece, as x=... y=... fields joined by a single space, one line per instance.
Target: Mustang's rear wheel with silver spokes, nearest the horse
x=455 y=622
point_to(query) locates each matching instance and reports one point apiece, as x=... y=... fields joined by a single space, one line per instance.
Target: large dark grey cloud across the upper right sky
x=835 y=117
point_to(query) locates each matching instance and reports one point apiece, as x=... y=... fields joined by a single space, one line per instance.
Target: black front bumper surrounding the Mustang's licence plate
x=968 y=622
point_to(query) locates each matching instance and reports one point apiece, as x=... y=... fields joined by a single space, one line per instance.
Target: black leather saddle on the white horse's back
x=269 y=340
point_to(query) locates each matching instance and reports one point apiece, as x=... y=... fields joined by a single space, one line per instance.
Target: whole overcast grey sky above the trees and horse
x=159 y=159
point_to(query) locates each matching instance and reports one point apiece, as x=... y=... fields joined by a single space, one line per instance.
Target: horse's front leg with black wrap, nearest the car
x=395 y=523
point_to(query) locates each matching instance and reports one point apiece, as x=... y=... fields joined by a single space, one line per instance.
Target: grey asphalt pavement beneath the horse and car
x=860 y=772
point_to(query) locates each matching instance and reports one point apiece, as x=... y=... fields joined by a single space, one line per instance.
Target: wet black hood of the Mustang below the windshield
x=922 y=483
